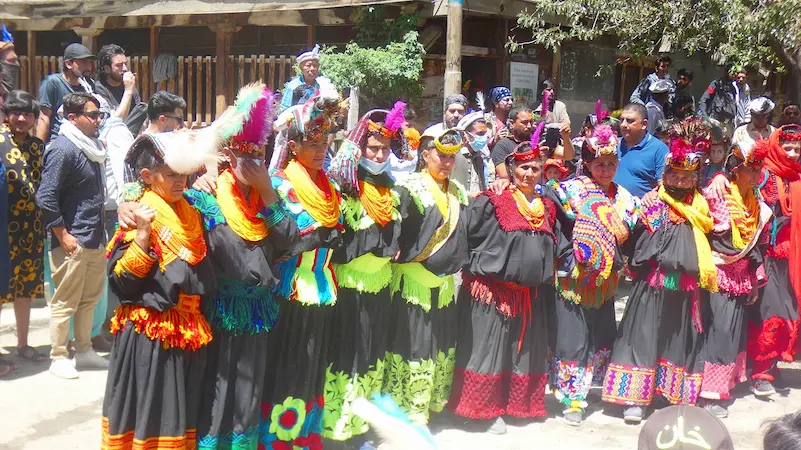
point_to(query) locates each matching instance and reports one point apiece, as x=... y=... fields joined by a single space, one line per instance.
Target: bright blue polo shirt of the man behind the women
x=641 y=166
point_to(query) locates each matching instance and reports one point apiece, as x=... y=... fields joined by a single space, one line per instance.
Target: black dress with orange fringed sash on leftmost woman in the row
x=159 y=353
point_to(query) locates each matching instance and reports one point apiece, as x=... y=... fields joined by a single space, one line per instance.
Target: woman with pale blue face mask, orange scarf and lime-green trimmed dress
x=363 y=269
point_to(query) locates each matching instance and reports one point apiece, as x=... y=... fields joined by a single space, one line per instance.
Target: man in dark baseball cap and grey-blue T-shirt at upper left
x=76 y=76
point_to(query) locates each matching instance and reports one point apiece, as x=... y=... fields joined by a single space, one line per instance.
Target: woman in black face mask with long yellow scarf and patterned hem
x=658 y=340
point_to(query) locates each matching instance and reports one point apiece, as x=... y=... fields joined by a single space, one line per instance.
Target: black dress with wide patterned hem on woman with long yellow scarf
x=658 y=340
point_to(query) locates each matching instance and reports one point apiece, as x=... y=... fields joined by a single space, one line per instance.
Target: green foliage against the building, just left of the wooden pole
x=383 y=74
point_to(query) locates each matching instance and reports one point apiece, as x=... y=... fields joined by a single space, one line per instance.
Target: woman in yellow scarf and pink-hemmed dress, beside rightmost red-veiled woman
x=739 y=217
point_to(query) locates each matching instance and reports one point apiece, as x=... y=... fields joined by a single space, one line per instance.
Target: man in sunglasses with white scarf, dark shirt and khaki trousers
x=72 y=197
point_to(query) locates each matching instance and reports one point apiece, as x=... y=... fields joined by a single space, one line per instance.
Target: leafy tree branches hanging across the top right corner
x=745 y=32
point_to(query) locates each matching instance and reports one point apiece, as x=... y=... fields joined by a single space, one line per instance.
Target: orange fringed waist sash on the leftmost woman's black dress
x=182 y=326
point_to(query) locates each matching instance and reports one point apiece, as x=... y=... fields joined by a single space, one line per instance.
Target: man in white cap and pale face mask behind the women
x=473 y=167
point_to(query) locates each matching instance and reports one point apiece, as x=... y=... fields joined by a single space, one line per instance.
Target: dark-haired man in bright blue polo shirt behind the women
x=642 y=156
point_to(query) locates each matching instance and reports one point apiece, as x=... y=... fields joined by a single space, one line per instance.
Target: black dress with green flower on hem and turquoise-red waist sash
x=292 y=401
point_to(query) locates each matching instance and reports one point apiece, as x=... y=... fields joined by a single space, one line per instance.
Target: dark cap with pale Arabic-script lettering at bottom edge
x=684 y=427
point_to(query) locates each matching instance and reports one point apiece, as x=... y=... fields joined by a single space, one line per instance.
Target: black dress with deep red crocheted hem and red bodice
x=502 y=351
